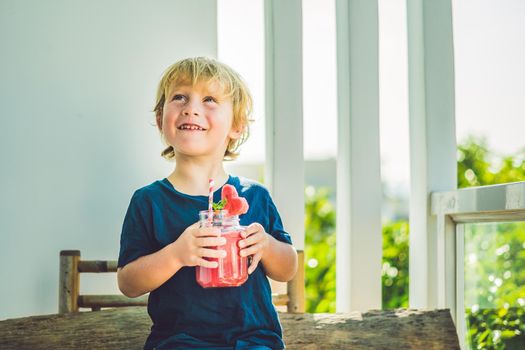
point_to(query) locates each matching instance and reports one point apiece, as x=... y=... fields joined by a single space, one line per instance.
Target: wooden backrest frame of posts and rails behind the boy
x=70 y=299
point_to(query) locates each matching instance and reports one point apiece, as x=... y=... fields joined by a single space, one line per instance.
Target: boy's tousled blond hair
x=202 y=69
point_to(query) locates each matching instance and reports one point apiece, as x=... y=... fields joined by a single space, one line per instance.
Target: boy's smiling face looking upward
x=197 y=120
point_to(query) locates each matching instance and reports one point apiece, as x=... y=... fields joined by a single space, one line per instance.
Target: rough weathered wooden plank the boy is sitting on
x=127 y=328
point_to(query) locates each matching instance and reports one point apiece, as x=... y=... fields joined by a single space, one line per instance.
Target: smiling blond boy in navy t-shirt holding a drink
x=202 y=113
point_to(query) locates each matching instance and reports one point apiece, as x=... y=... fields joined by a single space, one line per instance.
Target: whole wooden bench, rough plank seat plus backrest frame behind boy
x=127 y=327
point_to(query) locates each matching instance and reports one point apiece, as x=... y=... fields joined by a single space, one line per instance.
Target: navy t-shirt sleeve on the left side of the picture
x=136 y=239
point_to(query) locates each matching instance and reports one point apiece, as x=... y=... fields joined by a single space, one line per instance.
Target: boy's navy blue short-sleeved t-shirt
x=183 y=313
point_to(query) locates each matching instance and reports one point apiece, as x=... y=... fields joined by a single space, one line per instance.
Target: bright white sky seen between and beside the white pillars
x=489 y=40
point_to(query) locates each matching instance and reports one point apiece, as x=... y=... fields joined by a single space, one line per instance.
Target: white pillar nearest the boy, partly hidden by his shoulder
x=284 y=169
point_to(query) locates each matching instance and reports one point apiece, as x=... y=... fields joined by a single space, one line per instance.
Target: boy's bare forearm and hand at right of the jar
x=279 y=259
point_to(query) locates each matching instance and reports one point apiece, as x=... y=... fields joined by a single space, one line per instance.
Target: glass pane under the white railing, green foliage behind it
x=494 y=289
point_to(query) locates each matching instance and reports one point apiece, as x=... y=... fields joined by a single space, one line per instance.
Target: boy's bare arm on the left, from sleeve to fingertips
x=149 y=272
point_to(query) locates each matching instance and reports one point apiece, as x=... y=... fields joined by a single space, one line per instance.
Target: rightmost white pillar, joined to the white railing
x=432 y=142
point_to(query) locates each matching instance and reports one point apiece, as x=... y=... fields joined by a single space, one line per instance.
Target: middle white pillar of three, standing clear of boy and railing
x=359 y=241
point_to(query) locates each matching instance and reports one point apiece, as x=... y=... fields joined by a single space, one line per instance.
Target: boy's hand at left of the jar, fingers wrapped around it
x=193 y=246
